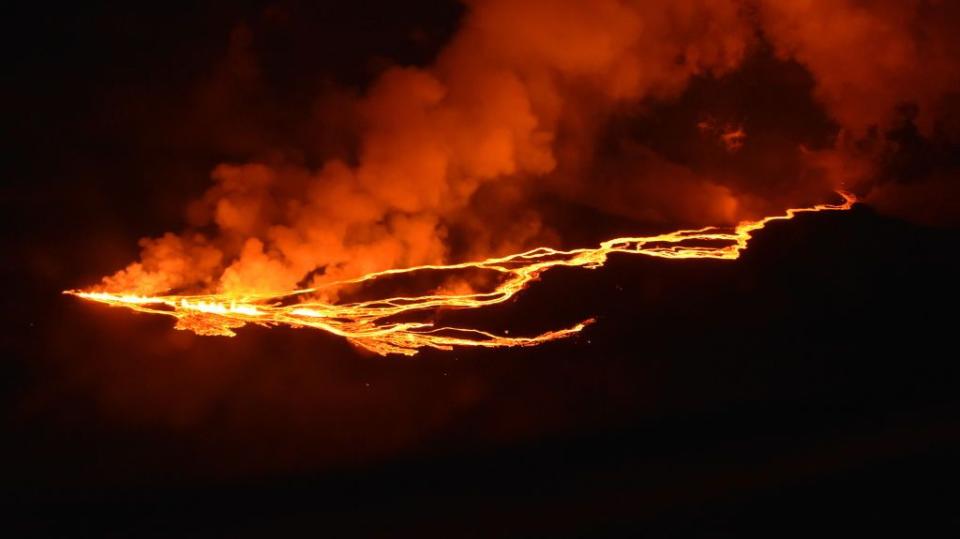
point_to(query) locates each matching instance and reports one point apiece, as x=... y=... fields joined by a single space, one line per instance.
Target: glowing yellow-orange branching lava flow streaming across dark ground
x=377 y=324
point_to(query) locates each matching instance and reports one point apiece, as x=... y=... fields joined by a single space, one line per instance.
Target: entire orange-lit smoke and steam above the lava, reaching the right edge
x=615 y=105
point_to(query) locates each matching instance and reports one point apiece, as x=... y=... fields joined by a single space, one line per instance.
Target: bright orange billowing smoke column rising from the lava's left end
x=487 y=111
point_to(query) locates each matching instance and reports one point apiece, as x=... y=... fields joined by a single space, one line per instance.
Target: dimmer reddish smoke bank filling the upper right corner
x=880 y=67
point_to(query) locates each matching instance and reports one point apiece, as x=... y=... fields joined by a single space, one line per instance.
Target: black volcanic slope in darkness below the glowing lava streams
x=812 y=381
